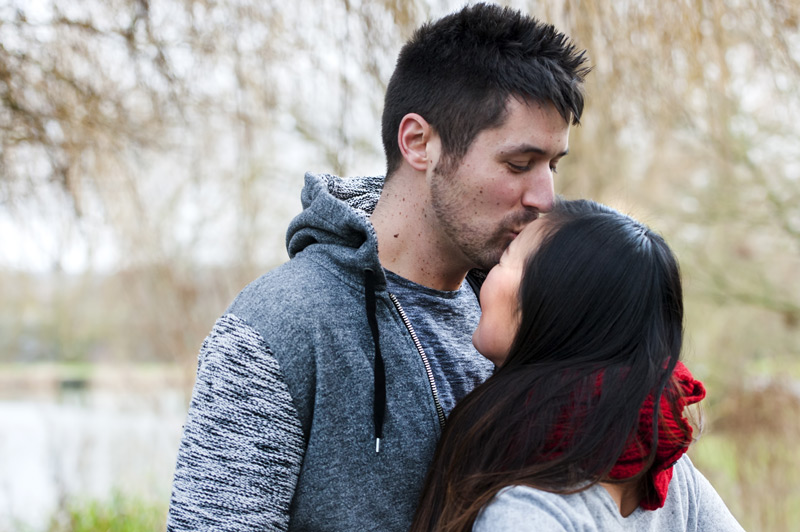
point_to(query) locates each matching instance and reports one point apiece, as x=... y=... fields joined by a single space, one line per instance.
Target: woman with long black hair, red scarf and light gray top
x=582 y=425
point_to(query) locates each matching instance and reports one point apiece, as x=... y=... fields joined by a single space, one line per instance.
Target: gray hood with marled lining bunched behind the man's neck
x=336 y=215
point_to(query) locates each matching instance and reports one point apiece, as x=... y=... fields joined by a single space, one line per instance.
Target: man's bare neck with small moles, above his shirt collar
x=408 y=241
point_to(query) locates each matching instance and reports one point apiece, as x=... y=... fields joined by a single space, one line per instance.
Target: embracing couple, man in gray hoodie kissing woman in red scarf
x=381 y=380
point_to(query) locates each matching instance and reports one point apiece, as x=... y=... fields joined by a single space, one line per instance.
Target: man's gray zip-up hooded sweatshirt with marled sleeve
x=281 y=429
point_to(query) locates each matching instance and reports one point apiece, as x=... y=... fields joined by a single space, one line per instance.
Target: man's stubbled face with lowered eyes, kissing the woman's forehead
x=501 y=184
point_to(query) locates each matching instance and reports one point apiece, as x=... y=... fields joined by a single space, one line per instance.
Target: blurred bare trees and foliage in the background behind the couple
x=151 y=156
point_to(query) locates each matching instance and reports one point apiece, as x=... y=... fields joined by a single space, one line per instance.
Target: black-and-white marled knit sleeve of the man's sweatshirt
x=242 y=446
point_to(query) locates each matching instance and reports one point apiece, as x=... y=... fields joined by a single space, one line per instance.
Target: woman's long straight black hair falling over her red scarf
x=601 y=329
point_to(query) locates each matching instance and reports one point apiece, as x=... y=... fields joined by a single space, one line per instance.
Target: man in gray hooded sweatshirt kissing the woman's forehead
x=321 y=392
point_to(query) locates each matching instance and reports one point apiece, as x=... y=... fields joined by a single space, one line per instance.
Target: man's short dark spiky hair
x=459 y=71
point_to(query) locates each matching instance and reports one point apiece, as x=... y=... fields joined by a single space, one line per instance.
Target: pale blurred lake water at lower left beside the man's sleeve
x=86 y=444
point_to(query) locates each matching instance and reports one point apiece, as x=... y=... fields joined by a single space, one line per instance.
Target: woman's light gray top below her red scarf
x=692 y=505
